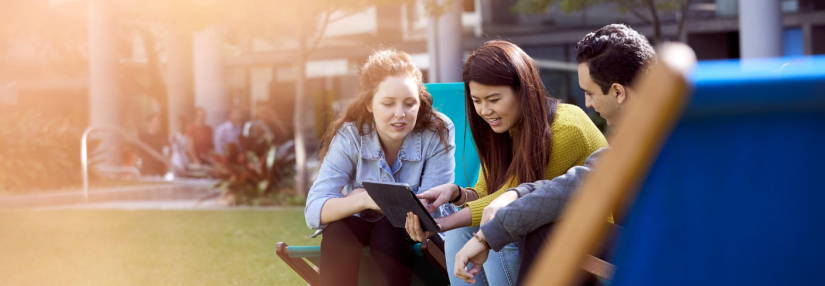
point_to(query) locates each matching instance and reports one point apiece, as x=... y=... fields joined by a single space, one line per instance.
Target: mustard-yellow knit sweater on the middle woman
x=575 y=137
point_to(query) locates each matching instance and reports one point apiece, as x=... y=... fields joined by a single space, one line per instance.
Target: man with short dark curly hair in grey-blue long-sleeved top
x=609 y=59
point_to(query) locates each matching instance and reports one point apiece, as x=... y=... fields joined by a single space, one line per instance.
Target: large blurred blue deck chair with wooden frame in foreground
x=733 y=197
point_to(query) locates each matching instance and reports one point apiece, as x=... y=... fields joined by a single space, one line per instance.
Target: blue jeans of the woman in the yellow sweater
x=501 y=268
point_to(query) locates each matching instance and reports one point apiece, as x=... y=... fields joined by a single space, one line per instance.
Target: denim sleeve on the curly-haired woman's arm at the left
x=333 y=176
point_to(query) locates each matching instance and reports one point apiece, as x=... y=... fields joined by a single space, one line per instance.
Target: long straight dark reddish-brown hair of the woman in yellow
x=504 y=63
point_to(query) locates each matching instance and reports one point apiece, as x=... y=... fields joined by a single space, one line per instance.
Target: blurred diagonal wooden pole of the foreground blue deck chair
x=661 y=96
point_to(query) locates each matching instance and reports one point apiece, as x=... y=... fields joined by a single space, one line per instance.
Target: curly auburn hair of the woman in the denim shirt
x=380 y=65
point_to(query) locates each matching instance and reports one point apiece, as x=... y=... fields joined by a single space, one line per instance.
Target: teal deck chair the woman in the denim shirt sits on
x=429 y=265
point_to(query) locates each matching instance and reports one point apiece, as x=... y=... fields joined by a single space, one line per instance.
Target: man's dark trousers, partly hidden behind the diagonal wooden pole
x=530 y=247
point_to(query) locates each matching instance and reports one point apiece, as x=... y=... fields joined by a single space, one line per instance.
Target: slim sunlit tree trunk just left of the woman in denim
x=301 y=178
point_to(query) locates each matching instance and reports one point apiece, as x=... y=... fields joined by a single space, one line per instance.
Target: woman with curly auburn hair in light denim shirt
x=388 y=133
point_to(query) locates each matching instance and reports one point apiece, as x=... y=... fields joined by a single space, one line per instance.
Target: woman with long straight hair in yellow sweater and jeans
x=522 y=135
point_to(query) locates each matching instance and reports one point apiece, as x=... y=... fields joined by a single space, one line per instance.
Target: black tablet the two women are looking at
x=396 y=200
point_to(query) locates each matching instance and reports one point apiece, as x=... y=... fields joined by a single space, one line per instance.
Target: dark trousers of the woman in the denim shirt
x=341 y=248
